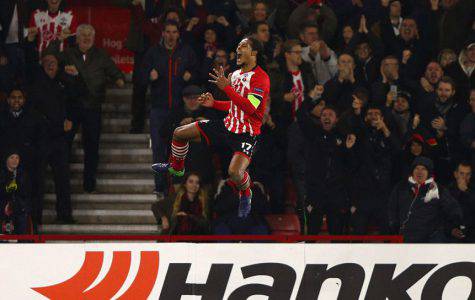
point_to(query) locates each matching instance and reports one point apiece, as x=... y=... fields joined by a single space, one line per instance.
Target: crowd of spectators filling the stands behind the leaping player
x=370 y=123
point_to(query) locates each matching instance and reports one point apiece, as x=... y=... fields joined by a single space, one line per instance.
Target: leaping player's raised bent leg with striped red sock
x=179 y=148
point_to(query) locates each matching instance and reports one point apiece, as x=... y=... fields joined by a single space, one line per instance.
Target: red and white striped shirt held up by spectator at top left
x=51 y=25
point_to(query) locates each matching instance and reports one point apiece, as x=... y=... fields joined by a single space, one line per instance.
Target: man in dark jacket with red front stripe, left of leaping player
x=167 y=67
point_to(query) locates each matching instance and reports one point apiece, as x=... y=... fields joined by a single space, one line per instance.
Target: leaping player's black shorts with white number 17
x=213 y=132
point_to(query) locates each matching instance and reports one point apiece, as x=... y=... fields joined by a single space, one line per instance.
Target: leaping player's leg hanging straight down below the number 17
x=237 y=173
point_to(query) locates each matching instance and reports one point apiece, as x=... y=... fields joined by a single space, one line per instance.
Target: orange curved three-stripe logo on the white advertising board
x=76 y=286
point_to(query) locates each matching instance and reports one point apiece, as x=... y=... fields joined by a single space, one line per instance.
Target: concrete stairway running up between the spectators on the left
x=121 y=204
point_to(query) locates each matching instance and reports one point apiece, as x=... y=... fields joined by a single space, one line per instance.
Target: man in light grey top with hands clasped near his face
x=317 y=53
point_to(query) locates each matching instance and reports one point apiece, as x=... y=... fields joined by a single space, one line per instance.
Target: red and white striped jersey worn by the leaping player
x=247 y=109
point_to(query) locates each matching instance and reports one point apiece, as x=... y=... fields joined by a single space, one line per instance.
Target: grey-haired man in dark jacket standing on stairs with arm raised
x=92 y=66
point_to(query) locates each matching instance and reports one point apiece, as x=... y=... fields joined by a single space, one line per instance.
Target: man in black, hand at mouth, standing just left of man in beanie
x=372 y=181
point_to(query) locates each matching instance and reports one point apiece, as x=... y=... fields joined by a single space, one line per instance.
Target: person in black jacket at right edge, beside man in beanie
x=462 y=191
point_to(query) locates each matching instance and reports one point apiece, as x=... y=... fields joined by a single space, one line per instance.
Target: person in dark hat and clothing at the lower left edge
x=15 y=194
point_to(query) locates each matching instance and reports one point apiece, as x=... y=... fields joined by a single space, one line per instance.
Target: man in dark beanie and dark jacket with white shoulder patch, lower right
x=419 y=208
